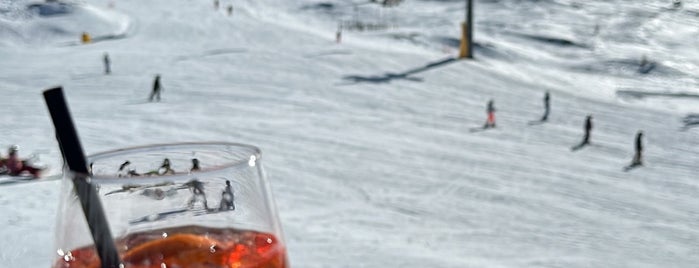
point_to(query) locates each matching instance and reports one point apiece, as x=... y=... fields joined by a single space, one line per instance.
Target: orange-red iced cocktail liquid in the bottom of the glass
x=189 y=247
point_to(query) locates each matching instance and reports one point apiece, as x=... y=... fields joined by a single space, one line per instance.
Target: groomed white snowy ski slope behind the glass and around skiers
x=367 y=143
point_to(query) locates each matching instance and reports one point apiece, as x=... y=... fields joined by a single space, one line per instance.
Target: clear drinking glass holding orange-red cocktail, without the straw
x=176 y=205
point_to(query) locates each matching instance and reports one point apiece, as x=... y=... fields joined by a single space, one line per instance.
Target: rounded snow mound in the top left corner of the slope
x=59 y=23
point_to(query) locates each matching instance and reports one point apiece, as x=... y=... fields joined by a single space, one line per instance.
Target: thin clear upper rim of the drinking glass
x=255 y=152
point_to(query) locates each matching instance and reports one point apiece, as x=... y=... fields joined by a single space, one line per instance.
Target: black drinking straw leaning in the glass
x=74 y=157
